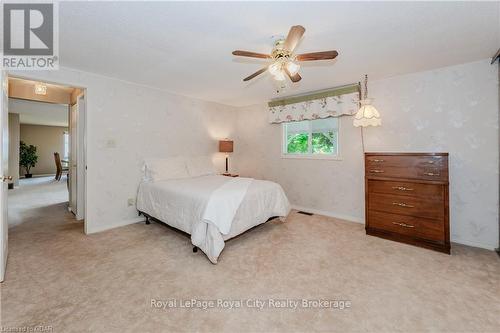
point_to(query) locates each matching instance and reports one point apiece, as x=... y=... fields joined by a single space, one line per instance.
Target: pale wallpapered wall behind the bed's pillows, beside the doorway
x=126 y=123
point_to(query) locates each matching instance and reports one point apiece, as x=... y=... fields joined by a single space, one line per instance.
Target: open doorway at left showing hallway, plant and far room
x=46 y=145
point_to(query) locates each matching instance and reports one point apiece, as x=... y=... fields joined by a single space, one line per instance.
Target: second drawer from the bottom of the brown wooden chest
x=407 y=205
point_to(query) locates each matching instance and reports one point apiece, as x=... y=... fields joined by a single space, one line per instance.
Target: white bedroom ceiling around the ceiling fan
x=185 y=47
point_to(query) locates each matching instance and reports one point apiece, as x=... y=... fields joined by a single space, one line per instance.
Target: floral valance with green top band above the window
x=332 y=103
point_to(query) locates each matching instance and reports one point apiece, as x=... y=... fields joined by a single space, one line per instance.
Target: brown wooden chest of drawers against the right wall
x=406 y=198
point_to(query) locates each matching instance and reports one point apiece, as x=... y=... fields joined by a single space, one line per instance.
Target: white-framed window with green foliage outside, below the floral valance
x=311 y=138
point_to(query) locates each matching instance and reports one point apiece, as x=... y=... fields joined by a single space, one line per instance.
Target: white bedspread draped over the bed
x=181 y=203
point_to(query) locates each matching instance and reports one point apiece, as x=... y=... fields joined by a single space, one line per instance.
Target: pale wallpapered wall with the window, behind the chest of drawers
x=452 y=109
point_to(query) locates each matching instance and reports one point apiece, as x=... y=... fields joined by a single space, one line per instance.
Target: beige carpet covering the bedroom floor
x=58 y=277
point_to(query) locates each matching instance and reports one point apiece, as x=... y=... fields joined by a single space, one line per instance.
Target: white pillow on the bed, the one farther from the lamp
x=165 y=168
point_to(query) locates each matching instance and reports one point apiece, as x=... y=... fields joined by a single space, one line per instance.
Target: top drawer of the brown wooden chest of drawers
x=427 y=167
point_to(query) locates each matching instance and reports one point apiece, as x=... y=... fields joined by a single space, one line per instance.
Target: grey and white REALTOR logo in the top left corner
x=30 y=36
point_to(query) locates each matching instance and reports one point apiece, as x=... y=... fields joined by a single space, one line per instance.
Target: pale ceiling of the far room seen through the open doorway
x=39 y=113
